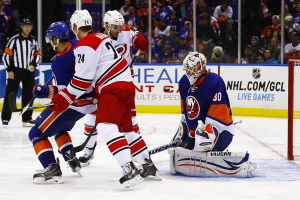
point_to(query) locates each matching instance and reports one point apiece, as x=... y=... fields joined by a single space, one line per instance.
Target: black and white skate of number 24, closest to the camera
x=131 y=175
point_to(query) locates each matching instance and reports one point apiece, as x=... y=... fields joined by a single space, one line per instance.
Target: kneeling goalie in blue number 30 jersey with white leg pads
x=206 y=126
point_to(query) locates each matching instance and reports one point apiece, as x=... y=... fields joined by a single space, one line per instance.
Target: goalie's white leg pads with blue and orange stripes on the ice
x=210 y=164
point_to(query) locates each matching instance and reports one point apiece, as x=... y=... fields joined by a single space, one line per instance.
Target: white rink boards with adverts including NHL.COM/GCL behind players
x=254 y=90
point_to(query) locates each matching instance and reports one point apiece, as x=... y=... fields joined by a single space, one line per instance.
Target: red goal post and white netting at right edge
x=294 y=109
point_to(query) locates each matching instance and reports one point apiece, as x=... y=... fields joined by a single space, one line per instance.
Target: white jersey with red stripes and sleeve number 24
x=97 y=64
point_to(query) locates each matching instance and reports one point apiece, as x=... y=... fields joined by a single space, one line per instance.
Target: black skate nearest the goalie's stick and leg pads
x=149 y=171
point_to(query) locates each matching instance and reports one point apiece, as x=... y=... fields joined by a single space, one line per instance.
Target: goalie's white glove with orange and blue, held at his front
x=205 y=137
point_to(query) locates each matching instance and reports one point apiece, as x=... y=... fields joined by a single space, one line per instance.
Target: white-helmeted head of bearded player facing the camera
x=113 y=18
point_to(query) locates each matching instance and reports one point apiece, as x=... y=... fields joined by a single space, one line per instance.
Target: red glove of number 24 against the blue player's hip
x=62 y=100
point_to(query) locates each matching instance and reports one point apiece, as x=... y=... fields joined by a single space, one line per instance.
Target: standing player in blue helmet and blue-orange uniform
x=58 y=123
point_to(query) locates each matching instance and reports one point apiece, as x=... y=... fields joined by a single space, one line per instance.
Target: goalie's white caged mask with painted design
x=195 y=65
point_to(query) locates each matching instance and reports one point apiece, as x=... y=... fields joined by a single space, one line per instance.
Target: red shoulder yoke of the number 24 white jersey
x=92 y=40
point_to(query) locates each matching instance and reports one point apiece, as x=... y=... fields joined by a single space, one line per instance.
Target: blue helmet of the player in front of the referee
x=58 y=29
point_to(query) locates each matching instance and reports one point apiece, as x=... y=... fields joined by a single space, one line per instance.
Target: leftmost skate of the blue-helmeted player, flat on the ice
x=52 y=174
